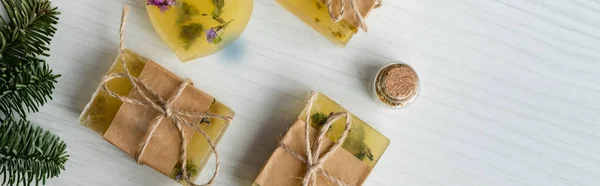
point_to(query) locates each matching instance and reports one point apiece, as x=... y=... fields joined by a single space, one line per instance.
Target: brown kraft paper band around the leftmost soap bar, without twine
x=132 y=122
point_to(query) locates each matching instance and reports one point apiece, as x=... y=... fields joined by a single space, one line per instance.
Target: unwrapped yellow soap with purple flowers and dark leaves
x=184 y=26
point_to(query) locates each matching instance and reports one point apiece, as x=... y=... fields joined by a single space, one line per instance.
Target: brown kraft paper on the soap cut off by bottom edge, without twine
x=285 y=169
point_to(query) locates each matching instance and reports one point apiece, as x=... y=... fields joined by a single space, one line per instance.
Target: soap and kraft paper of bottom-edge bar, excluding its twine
x=352 y=163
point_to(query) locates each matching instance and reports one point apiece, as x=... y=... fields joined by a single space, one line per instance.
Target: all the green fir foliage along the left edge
x=28 y=154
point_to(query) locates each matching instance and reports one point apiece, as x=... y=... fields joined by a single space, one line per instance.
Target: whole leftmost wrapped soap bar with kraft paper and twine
x=156 y=117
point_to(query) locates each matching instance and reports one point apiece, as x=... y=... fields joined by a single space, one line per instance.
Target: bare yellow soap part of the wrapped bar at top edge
x=315 y=14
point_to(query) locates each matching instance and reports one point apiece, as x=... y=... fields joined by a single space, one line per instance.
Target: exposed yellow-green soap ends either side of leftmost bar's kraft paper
x=102 y=109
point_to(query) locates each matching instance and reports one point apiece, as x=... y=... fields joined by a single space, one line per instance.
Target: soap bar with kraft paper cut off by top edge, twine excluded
x=316 y=14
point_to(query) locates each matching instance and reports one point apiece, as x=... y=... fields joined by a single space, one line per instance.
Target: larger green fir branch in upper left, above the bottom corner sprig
x=26 y=82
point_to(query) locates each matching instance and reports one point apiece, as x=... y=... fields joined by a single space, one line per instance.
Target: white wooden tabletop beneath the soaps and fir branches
x=510 y=89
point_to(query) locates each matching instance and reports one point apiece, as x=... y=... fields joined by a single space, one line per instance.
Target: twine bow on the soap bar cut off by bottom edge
x=313 y=160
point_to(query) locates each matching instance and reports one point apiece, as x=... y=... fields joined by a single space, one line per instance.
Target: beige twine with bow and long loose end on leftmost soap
x=163 y=107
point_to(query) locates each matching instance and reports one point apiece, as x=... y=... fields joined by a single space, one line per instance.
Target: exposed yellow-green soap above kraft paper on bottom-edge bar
x=363 y=141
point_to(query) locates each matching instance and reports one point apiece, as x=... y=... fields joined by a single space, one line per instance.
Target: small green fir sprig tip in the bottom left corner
x=29 y=153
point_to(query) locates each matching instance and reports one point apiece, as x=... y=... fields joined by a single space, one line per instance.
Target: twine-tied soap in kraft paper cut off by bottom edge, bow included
x=325 y=146
